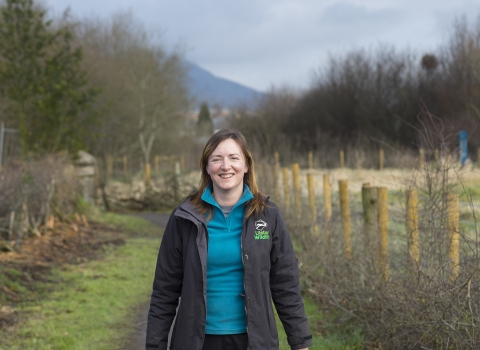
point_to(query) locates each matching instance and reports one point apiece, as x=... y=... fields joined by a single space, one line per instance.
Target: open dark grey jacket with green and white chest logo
x=270 y=273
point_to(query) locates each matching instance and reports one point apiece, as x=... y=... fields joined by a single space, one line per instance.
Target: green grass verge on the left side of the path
x=91 y=304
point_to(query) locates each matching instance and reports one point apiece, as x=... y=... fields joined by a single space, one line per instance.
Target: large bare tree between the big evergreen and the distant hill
x=144 y=94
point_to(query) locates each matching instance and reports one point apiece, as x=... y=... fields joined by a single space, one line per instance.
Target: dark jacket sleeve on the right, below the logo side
x=285 y=287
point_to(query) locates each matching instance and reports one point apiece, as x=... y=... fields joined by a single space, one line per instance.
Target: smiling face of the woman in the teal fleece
x=227 y=167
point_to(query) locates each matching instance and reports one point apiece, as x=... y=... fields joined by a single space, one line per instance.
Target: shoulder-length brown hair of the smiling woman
x=257 y=203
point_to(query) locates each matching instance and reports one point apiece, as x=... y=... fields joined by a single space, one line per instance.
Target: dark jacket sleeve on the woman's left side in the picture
x=167 y=286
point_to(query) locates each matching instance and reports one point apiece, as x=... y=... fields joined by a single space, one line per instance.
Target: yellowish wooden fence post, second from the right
x=412 y=230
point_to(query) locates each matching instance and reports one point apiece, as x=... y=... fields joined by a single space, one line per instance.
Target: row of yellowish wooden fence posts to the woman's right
x=375 y=215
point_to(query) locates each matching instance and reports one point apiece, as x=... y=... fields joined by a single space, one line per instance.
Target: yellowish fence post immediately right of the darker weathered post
x=382 y=198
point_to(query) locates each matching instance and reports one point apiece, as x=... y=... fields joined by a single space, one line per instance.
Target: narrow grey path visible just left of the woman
x=139 y=329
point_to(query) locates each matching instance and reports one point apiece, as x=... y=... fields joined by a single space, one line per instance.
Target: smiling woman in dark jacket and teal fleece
x=227 y=253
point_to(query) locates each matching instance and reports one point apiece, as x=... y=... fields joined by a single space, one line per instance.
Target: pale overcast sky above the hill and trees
x=260 y=43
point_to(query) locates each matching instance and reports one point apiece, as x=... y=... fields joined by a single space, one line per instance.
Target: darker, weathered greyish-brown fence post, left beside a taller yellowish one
x=369 y=203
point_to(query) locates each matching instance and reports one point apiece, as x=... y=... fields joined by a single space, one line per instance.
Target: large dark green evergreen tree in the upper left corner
x=47 y=93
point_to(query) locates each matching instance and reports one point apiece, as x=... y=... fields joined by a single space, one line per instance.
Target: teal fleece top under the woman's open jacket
x=225 y=301
